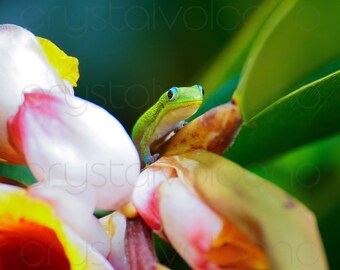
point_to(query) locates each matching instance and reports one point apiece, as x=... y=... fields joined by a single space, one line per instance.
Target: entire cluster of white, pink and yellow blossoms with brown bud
x=216 y=214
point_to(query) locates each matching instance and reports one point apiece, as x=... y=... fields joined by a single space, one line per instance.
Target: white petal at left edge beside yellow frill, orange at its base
x=23 y=66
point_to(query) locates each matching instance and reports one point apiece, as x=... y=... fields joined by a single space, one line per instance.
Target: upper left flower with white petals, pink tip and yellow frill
x=66 y=141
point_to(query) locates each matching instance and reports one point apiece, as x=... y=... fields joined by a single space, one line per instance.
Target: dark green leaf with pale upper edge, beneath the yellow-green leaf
x=307 y=114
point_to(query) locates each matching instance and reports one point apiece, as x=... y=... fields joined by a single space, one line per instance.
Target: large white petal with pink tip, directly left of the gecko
x=73 y=143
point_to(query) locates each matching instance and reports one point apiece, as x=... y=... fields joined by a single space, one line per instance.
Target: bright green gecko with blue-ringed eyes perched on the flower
x=167 y=115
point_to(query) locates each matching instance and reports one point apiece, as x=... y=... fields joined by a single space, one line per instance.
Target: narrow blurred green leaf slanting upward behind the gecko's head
x=231 y=59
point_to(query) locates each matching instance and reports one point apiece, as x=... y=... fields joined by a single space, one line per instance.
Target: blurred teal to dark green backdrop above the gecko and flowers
x=132 y=51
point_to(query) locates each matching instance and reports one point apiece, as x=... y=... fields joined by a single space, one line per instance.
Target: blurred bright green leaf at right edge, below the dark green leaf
x=310 y=173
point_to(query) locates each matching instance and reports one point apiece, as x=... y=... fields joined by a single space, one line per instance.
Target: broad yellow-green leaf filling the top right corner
x=298 y=39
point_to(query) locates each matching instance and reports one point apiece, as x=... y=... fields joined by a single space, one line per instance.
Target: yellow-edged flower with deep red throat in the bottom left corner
x=33 y=236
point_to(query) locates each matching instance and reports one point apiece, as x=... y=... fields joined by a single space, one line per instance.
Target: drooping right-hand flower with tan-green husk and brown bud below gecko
x=218 y=215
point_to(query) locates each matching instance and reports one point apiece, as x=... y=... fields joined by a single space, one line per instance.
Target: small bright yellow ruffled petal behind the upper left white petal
x=66 y=66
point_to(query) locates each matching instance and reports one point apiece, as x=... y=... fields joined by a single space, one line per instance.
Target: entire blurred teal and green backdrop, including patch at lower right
x=132 y=51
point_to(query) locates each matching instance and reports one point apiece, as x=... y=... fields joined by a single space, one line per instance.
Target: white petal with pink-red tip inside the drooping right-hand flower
x=188 y=223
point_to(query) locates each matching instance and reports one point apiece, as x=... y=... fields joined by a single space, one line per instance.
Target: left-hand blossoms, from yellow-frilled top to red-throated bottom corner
x=79 y=153
